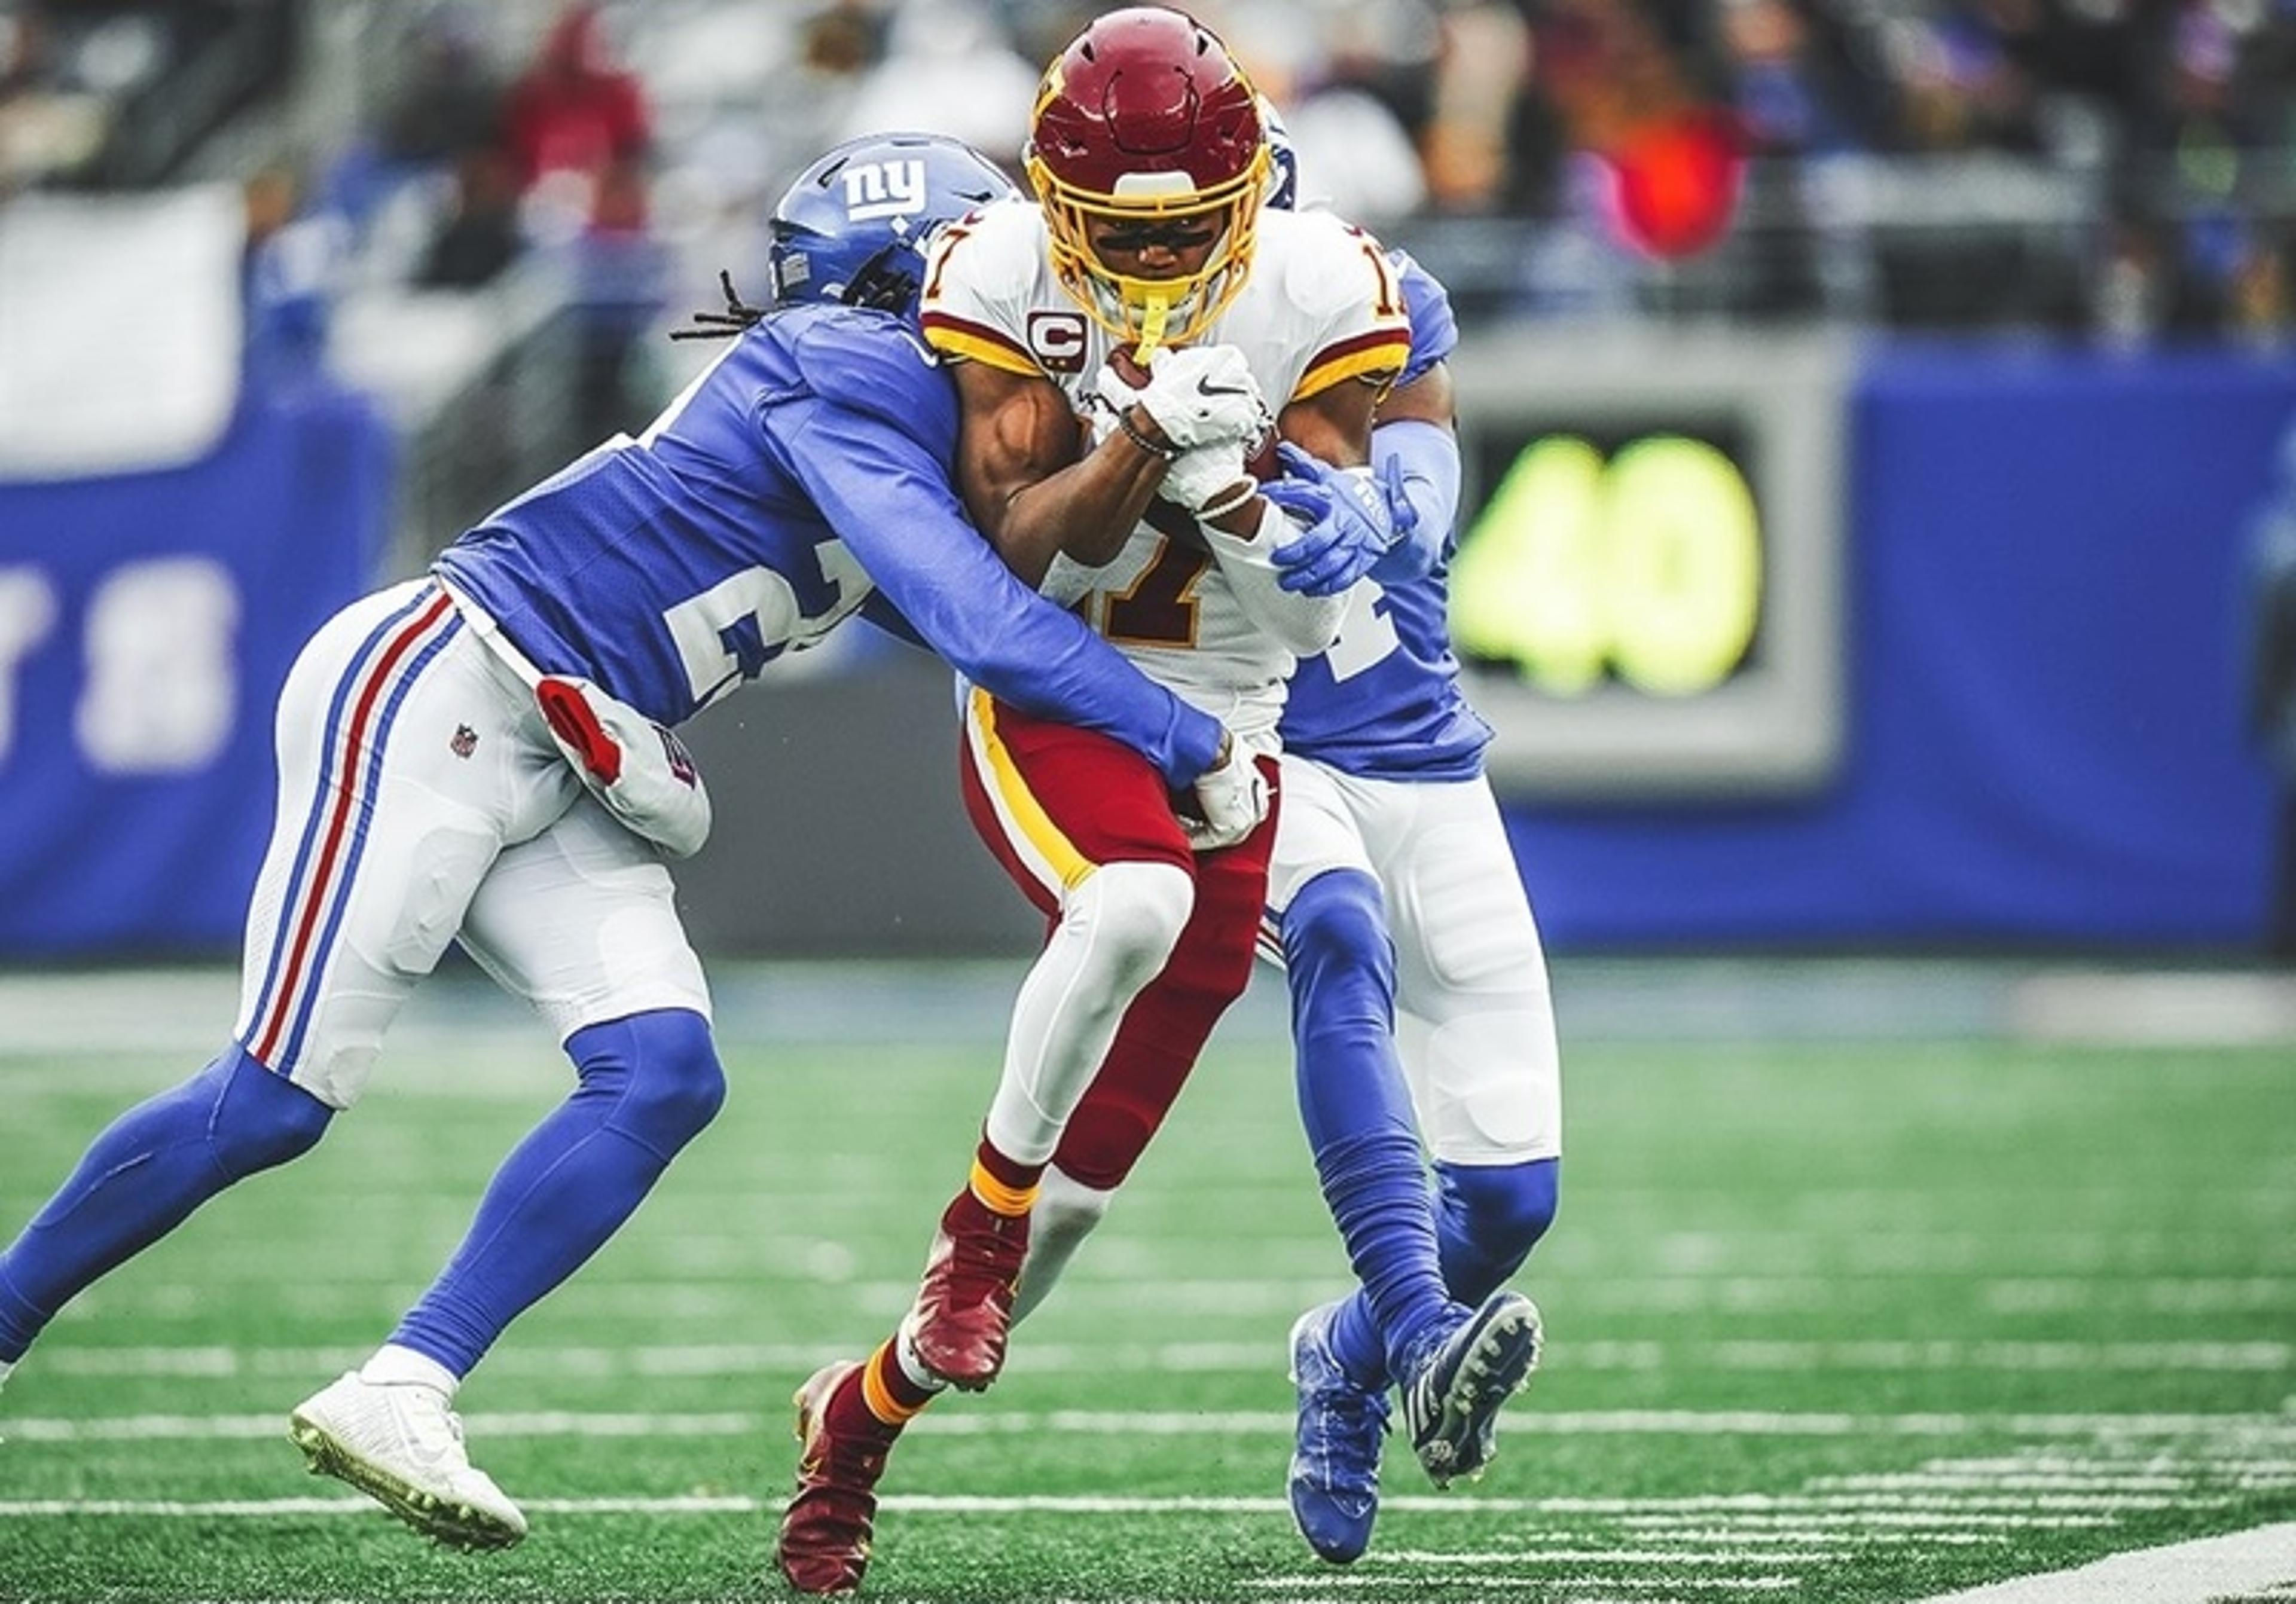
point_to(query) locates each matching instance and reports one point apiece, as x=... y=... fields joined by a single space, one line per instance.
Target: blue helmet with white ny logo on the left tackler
x=858 y=221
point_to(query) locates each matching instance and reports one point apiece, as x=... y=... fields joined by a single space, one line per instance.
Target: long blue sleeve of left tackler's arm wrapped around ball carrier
x=890 y=504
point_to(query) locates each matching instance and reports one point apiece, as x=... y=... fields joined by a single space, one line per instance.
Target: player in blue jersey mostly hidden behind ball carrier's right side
x=1418 y=981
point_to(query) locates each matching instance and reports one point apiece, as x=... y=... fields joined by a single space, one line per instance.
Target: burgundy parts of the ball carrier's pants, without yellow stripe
x=1115 y=809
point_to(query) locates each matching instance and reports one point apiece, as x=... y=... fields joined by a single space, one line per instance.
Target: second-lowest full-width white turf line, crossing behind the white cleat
x=2265 y=1431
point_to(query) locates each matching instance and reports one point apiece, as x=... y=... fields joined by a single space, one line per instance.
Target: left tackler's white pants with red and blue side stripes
x=421 y=800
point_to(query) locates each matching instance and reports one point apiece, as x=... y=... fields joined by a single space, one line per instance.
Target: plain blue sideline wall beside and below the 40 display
x=2047 y=735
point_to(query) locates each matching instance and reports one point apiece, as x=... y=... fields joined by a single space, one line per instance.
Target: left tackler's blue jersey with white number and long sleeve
x=807 y=467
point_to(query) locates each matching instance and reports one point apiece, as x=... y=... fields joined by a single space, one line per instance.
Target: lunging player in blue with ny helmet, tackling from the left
x=486 y=754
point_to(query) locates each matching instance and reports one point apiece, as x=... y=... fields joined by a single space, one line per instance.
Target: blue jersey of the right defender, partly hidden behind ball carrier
x=1386 y=701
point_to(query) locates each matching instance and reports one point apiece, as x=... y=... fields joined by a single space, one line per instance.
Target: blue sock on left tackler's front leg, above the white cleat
x=649 y=1087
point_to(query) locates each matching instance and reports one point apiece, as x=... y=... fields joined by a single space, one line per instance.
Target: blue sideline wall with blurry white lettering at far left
x=146 y=628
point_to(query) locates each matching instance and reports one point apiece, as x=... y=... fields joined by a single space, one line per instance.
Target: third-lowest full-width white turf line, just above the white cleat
x=738 y=1360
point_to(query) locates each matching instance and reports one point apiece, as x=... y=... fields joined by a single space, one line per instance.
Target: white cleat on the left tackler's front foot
x=401 y=1445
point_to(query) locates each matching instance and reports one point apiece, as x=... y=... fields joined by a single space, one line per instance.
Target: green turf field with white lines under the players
x=1829 y=1321
